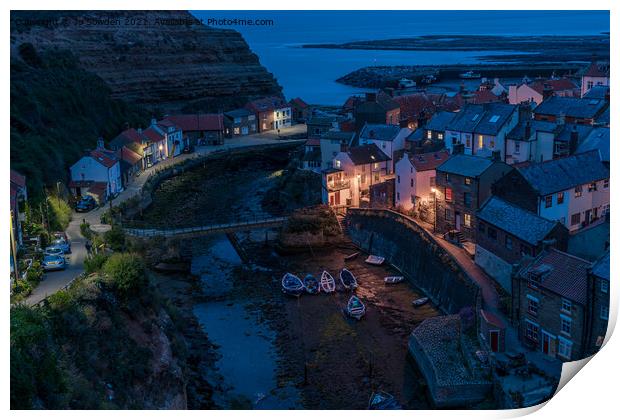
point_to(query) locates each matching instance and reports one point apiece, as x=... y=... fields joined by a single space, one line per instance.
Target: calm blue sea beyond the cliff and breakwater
x=311 y=73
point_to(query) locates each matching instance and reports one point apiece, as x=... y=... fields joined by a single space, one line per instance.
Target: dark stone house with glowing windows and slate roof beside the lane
x=463 y=184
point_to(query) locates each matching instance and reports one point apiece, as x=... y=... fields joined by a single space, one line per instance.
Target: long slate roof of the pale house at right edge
x=565 y=173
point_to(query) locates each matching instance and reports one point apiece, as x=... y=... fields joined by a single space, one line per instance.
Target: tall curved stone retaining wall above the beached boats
x=415 y=253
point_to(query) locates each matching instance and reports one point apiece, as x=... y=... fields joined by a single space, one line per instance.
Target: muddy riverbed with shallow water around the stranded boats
x=275 y=352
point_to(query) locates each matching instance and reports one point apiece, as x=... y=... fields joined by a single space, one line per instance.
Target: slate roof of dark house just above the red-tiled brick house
x=515 y=220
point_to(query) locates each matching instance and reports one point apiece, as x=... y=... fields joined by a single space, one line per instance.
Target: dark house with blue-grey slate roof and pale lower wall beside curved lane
x=506 y=233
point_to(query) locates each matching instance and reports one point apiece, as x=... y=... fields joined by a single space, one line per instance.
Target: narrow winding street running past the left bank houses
x=54 y=281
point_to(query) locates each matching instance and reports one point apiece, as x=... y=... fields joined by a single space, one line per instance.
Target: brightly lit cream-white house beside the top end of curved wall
x=347 y=183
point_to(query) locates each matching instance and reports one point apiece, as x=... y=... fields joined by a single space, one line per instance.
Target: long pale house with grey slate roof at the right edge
x=573 y=191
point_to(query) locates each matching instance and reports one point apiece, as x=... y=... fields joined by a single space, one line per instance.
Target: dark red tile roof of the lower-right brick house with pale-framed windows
x=562 y=273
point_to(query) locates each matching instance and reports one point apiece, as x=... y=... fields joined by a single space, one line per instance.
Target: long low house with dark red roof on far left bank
x=200 y=128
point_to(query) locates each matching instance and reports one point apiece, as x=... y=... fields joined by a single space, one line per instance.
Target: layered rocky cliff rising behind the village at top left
x=161 y=59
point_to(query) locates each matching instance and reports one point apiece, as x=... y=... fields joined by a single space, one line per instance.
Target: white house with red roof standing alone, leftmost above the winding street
x=98 y=167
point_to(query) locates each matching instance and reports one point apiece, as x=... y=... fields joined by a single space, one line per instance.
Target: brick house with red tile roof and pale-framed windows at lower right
x=553 y=305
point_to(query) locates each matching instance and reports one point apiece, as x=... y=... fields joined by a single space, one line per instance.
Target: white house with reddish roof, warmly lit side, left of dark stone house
x=415 y=178
